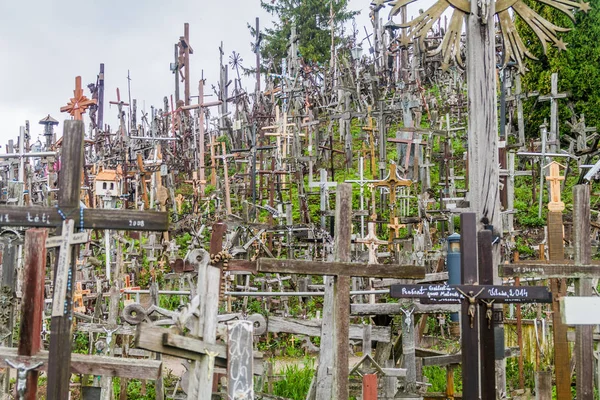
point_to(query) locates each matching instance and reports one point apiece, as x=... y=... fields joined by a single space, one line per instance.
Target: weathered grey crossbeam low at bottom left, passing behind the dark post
x=91 y=365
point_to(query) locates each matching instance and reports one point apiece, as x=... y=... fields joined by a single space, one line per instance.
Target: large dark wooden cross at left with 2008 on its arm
x=69 y=208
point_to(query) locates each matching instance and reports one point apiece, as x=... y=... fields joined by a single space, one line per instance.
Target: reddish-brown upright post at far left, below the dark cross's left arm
x=33 y=302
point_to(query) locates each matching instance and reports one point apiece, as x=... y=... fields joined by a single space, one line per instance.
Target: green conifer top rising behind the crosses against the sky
x=313 y=27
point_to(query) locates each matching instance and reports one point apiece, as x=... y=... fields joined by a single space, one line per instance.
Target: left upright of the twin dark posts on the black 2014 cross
x=469 y=334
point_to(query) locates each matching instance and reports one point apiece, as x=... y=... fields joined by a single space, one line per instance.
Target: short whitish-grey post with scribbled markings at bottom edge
x=240 y=383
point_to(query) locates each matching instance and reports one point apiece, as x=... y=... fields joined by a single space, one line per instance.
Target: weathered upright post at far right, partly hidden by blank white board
x=584 y=345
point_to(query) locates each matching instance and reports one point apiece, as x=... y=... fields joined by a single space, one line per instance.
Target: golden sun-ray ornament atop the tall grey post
x=515 y=49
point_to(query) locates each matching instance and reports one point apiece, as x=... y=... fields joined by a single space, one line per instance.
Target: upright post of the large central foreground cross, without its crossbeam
x=341 y=290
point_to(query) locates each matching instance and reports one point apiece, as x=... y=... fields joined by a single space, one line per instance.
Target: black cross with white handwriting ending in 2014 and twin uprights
x=477 y=301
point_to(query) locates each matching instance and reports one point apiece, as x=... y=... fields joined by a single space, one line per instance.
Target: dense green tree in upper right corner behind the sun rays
x=577 y=67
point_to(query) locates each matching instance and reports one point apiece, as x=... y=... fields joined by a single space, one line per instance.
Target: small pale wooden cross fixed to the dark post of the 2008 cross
x=68 y=239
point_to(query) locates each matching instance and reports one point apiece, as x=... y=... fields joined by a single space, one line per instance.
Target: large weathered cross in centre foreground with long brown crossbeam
x=332 y=376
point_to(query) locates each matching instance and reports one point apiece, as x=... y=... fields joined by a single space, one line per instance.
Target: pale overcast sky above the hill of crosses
x=46 y=43
